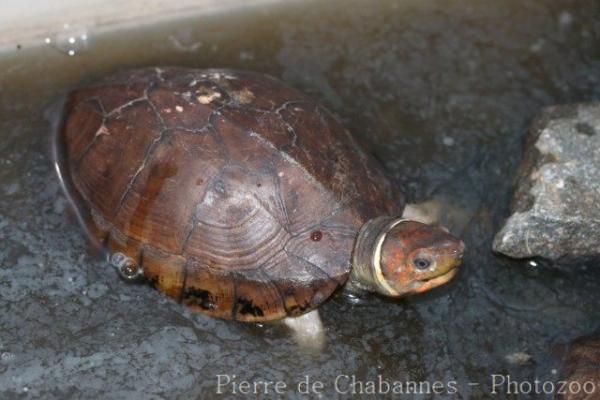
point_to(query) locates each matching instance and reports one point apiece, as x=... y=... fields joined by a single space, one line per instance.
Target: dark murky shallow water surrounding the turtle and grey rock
x=440 y=91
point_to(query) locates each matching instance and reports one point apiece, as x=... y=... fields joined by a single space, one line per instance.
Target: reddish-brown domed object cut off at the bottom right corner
x=581 y=371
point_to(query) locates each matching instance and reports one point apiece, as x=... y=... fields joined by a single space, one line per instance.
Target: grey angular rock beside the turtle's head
x=556 y=206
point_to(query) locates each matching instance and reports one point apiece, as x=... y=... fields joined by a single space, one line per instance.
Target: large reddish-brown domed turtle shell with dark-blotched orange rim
x=238 y=196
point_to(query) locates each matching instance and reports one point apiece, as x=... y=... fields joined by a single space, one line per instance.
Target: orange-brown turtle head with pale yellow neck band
x=397 y=257
